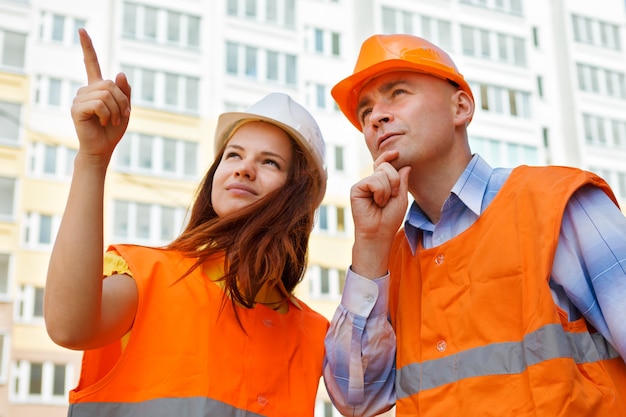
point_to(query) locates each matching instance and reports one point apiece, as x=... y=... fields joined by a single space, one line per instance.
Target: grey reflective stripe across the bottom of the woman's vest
x=162 y=407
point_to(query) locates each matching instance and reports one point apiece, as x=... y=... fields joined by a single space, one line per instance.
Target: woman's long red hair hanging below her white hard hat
x=265 y=243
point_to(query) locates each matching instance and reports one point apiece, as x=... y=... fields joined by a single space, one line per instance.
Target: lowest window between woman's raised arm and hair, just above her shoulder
x=146 y=223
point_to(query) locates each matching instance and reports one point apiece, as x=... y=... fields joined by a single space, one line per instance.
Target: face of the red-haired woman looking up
x=256 y=161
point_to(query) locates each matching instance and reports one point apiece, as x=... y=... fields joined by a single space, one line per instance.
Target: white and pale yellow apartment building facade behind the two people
x=548 y=78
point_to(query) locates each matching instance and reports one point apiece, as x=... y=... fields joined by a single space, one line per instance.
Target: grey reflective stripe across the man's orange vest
x=548 y=342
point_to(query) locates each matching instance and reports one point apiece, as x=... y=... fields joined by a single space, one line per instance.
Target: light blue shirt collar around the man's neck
x=470 y=189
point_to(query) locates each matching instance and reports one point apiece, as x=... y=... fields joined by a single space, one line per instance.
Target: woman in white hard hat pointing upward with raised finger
x=207 y=326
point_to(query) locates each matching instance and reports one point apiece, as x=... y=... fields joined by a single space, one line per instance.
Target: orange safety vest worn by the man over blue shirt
x=478 y=332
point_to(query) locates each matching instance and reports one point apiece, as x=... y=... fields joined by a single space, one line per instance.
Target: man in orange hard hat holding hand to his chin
x=502 y=295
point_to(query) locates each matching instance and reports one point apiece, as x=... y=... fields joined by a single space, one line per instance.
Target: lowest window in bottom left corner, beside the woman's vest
x=40 y=382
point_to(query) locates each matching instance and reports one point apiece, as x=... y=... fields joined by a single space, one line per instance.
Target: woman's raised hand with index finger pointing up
x=101 y=109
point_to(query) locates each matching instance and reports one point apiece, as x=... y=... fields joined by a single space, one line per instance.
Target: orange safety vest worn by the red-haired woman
x=188 y=356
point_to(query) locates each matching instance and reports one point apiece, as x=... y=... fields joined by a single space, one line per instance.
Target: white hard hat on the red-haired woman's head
x=280 y=110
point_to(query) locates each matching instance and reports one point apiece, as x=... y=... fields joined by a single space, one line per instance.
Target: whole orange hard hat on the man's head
x=385 y=53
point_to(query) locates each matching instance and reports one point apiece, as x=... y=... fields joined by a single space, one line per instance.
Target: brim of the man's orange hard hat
x=346 y=92
